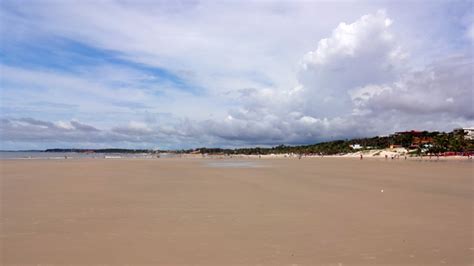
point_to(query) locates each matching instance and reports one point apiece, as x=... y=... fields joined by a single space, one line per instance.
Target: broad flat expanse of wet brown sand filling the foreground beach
x=274 y=211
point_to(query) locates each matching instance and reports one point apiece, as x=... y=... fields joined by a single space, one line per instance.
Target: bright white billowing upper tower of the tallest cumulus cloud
x=365 y=51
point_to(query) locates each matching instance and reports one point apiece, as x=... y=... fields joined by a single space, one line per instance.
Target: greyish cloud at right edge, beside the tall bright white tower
x=444 y=86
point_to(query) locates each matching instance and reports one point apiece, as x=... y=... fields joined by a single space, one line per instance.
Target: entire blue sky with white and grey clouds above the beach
x=187 y=74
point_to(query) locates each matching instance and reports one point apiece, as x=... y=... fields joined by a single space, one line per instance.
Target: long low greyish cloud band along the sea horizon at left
x=77 y=134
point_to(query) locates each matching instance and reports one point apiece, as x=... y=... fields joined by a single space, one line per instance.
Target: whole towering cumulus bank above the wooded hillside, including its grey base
x=354 y=84
